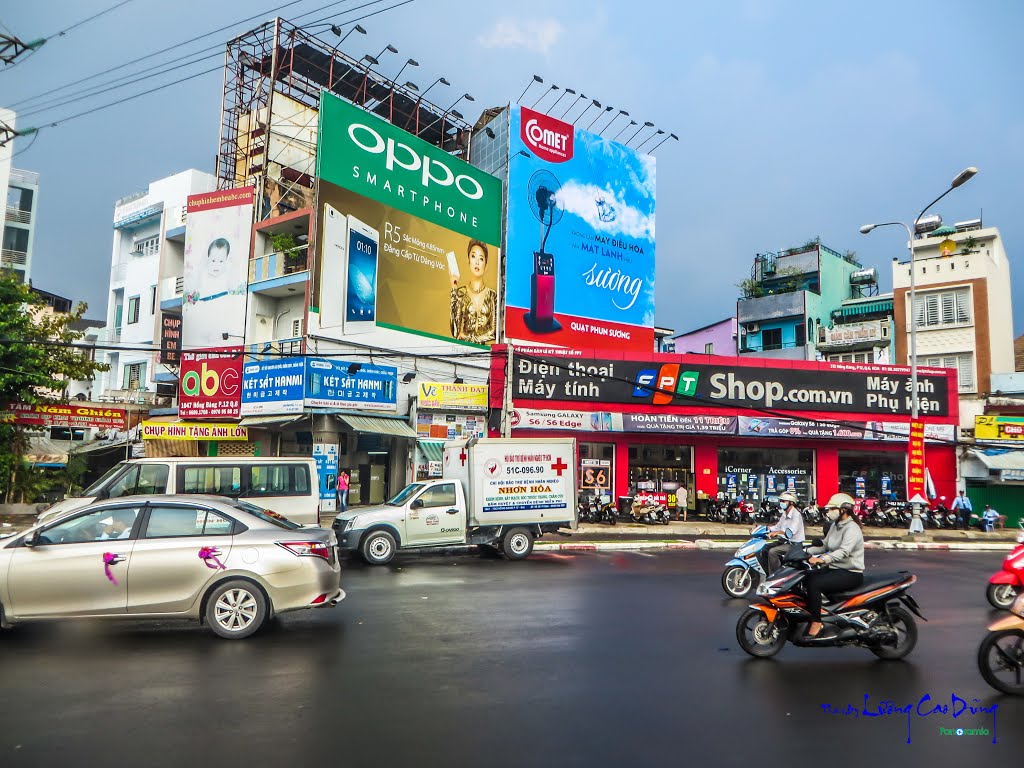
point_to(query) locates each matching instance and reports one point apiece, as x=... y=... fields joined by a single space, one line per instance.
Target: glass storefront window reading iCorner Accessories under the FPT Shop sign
x=756 y=474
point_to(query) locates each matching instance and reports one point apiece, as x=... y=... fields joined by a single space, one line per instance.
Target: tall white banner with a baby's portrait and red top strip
x=219 y=231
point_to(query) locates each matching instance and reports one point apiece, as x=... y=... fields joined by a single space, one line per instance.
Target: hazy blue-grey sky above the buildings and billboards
x=795 y=120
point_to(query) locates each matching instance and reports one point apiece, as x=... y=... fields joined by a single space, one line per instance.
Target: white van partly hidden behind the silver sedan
x=288 y=486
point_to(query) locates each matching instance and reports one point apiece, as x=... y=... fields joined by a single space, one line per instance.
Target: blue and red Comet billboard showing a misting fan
x=580 y=239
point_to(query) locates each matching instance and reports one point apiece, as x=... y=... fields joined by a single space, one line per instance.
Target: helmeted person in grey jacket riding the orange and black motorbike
x=843 y=553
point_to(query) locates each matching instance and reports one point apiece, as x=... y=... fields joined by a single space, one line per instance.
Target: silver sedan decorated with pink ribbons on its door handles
x=228 y=564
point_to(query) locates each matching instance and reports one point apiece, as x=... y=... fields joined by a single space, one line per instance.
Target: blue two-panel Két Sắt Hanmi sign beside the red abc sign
x=288 y=387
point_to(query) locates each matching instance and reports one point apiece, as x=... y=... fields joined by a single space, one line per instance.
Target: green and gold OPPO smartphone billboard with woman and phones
x=409 y=235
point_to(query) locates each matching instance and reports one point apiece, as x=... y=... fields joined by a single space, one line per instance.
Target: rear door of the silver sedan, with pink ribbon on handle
x=167 y=573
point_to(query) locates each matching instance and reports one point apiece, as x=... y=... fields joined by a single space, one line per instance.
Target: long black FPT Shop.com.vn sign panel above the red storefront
x=876 y=391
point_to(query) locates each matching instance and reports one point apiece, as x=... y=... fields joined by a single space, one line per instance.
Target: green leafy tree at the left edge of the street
x=38 y=360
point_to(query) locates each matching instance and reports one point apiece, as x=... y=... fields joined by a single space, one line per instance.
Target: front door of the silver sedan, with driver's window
x=78 y=567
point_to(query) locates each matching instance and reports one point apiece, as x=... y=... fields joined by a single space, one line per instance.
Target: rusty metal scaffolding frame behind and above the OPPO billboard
x=274 y=76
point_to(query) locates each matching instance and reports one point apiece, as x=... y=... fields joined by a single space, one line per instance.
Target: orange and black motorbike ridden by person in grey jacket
x=877 y=616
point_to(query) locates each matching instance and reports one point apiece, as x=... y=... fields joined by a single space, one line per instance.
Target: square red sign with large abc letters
x=210 y=385
